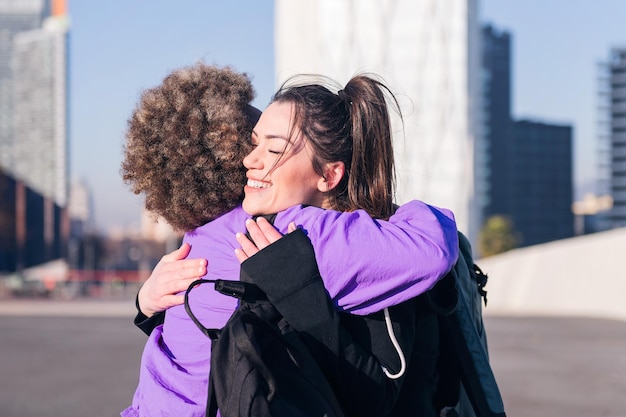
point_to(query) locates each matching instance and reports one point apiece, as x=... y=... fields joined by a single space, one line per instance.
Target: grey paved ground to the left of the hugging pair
x=67 y=366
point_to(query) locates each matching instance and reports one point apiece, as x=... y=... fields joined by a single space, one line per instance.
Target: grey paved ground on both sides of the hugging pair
x=56 y=364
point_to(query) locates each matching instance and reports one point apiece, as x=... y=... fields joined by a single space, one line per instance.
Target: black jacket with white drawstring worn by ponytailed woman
x=351 y=349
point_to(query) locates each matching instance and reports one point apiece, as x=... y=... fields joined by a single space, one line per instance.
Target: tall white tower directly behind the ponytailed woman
x=428 y=53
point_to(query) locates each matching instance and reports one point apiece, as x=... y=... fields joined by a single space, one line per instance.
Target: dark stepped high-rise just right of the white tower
x=528 y=164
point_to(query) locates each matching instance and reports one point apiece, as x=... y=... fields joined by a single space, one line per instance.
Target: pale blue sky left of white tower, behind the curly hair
x=119 y=48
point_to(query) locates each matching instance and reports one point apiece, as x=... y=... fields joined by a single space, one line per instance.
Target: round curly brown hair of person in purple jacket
x=186 y=141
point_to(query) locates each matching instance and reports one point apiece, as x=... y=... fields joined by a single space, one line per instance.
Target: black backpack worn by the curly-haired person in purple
x=259 y=365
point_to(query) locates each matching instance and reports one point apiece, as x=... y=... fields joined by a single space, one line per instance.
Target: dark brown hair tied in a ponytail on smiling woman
x=354 y=127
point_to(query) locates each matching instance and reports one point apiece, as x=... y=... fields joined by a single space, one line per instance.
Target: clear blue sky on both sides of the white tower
x=119 y=48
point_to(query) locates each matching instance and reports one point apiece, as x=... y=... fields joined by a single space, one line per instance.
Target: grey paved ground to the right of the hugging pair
x=573 y=367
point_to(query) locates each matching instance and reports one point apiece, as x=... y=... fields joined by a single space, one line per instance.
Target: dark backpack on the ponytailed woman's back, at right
x=466 y=380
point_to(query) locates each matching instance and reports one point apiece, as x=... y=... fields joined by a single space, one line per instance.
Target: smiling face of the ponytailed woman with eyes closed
x=280 y=168
